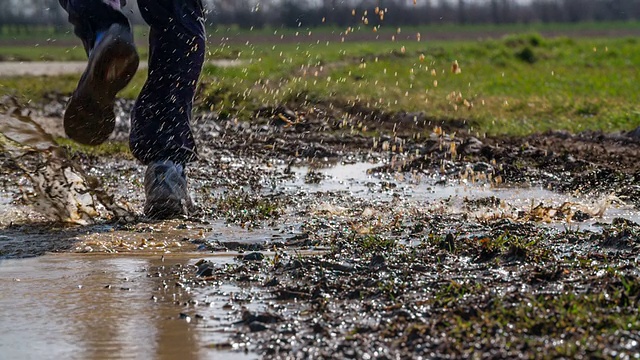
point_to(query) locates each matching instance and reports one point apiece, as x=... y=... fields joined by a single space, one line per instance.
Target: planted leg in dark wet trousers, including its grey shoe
x=161 y=134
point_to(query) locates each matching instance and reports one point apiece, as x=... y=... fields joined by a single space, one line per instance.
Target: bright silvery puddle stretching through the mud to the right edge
x=482 y=200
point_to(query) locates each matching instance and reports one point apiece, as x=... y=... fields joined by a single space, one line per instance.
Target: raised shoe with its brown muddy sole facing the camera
x=89 y=118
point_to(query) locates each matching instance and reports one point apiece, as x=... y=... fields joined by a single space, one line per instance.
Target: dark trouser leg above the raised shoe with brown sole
x=89 y=17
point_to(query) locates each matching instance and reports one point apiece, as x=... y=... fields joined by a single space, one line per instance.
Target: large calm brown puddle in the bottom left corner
x=94 y=307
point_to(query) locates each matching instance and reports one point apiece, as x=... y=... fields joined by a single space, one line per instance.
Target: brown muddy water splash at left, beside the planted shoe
x=63 y=191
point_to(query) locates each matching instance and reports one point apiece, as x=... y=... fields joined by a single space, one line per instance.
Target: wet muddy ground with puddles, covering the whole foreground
x=317 y=240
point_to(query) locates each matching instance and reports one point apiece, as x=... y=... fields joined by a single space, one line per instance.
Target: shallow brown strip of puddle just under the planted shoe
x=143 y=239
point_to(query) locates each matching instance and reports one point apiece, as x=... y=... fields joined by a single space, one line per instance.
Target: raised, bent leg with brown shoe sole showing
x=113 y=60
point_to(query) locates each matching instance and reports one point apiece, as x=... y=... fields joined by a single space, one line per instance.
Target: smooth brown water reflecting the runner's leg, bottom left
x=88 y=307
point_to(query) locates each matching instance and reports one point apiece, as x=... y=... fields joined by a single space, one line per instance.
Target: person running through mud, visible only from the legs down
x=161 y=136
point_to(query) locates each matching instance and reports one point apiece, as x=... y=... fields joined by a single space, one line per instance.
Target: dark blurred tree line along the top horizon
x=21 y=15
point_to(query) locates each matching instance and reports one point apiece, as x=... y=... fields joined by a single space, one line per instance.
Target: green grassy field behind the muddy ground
x=516 y=85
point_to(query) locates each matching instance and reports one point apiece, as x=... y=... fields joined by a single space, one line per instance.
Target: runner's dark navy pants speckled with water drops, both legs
x=160 y=121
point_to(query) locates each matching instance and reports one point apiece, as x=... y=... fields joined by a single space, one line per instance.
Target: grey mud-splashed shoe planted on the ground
x=165 y=185
